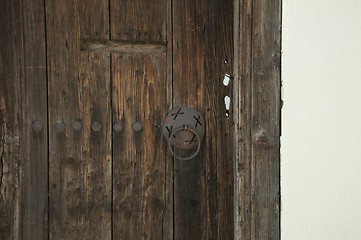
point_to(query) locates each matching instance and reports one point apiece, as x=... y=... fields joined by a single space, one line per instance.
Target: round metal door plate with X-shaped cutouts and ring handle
x=184 y=129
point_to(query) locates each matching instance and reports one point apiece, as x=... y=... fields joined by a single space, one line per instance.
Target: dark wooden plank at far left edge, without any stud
x=11 y=112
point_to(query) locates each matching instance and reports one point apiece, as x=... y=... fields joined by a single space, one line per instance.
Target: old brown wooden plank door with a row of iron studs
x=89 y=65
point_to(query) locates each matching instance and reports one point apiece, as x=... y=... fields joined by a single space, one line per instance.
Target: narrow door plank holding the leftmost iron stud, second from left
x=35 y=217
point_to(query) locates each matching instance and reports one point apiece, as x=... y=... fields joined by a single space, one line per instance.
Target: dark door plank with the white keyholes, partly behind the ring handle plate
x=203 y=54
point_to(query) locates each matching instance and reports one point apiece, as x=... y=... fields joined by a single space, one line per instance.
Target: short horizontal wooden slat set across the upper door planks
x=96 y=45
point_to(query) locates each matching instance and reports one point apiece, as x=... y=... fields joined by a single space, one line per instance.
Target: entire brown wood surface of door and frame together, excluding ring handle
x=128 y=61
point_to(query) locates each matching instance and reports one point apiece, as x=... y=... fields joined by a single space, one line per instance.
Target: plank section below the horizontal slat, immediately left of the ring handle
x=141 y=161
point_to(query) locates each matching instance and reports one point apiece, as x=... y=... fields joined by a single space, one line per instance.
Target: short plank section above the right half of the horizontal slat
x=139 y=20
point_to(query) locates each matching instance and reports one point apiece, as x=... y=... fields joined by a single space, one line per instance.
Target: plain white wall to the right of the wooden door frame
x=321 y=131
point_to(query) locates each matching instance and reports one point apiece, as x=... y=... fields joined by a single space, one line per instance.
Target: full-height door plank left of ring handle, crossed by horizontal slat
x=143 y=187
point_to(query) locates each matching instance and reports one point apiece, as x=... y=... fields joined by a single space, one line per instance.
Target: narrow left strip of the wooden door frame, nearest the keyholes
x=244 y=139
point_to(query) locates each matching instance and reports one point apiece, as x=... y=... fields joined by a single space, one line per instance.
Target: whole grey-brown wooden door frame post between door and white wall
x=257 y=70
